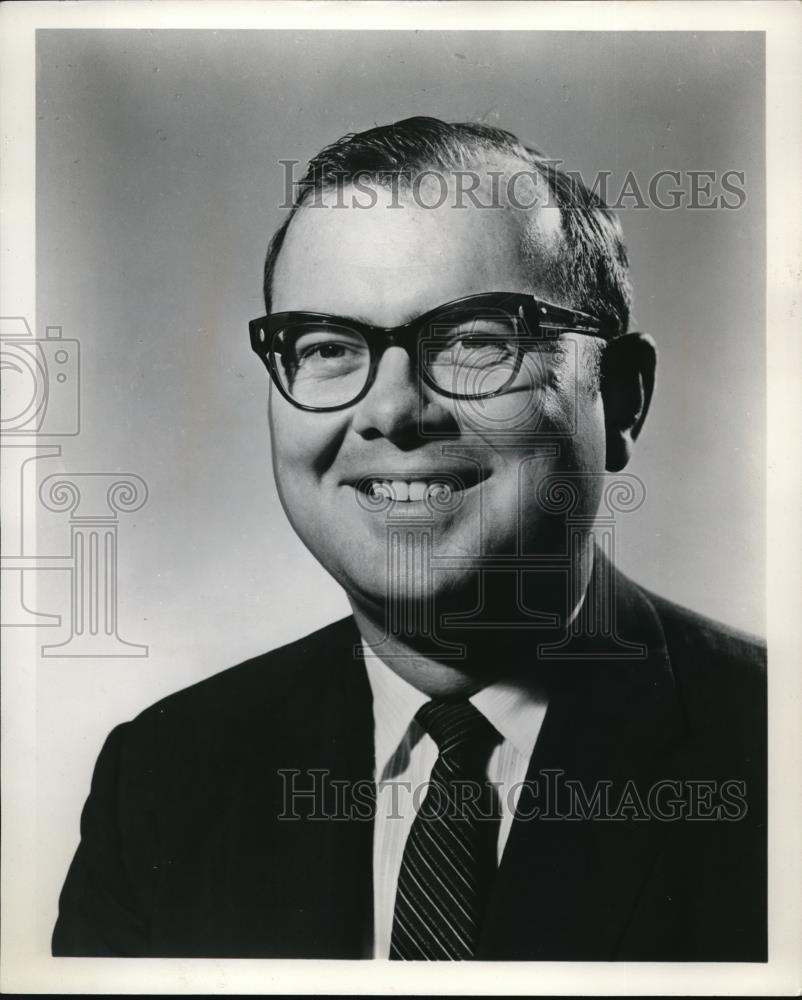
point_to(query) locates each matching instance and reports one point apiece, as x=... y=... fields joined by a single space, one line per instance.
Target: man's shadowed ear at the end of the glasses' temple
x=627 y=383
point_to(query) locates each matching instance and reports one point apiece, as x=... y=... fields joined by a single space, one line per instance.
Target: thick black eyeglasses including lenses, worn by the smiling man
x=471 y=348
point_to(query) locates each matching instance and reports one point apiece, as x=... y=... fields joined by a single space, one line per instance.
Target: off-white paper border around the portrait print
x=25 y=968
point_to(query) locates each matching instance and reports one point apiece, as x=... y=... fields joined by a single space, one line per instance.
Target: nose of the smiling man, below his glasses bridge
x=396 y=406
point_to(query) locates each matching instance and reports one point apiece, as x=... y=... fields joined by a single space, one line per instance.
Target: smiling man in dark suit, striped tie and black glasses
x=510 y=751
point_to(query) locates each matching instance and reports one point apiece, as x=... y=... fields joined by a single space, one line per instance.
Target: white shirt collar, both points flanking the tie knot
x=516 y=707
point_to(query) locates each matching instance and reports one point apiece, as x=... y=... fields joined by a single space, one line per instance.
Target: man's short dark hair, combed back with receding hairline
x=592 y=272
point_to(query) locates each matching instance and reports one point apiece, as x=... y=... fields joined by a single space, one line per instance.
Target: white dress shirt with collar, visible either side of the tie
x=406 y=754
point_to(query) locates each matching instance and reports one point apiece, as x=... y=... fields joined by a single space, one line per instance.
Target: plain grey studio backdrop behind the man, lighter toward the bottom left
x=158 y=186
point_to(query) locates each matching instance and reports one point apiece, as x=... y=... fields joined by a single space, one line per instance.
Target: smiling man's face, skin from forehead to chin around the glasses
x=385 y=266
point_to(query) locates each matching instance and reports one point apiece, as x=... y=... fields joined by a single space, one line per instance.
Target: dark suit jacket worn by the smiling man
x=182 y=852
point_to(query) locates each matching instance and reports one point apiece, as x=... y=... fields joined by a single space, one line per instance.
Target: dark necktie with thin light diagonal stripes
x=450 y=855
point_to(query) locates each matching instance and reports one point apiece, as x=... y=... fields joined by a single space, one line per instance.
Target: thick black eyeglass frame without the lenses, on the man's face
x=539 y=318
